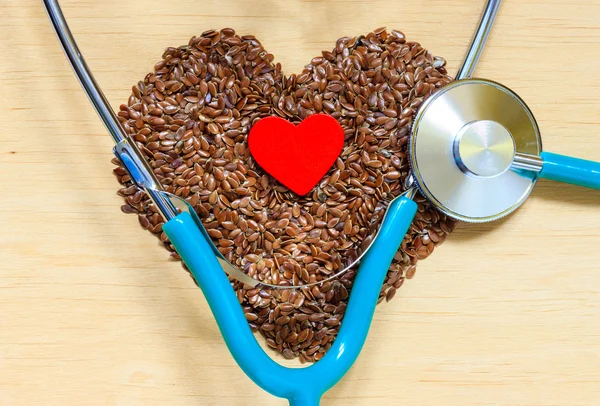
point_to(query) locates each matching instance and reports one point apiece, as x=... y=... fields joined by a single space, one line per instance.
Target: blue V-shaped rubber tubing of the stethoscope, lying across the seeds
x=301 y=386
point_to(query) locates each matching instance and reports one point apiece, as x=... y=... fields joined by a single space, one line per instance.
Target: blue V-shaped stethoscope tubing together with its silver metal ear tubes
x=301 y=386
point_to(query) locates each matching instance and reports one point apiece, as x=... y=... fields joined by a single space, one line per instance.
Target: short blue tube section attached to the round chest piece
x=567 y=169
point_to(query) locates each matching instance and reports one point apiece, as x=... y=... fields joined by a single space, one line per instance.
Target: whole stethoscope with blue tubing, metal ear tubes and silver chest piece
x=475 y=154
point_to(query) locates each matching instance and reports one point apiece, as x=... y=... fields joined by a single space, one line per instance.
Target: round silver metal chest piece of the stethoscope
x=466 y=147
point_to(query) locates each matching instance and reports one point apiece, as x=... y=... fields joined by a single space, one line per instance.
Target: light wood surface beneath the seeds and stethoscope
x=92 y=312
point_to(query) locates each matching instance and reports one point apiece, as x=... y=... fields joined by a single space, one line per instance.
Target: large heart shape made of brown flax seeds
x=191 y=117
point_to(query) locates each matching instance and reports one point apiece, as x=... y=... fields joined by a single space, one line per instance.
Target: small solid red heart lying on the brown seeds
x=297 y=156
